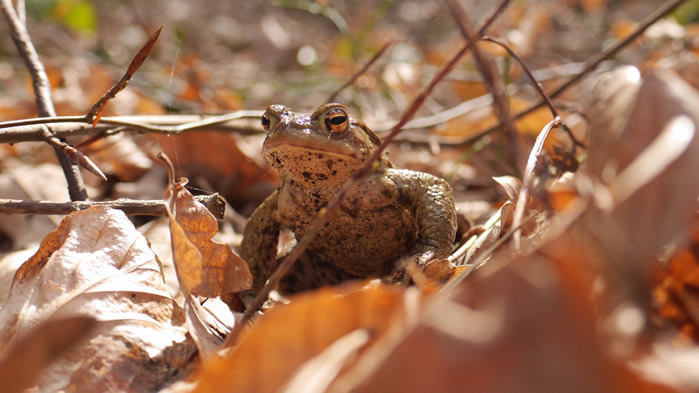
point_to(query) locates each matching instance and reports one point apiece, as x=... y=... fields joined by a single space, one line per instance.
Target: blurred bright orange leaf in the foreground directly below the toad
x=274 y=350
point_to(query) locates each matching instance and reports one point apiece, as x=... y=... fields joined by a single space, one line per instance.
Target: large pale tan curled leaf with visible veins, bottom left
x=97 y=264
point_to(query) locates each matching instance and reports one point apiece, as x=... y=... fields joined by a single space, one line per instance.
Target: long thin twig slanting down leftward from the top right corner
x=590 y=64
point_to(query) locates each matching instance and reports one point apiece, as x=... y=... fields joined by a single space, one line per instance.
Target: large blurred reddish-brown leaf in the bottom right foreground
x=524 y=326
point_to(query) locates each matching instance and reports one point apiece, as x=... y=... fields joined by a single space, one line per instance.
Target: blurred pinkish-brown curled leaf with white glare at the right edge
x=650 y=167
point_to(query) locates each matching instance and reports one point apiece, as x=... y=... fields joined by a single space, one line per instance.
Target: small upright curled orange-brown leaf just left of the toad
x=204 y=267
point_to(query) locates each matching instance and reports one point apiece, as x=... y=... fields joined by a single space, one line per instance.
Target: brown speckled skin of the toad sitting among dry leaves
x=392 y=214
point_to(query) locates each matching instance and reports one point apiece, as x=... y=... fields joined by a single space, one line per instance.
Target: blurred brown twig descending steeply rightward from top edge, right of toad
x=494 y=86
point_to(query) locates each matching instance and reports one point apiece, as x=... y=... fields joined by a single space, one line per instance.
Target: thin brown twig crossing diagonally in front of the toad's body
x=327 y=212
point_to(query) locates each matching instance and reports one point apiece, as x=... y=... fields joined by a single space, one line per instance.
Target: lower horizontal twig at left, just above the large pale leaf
x=129 y=206
